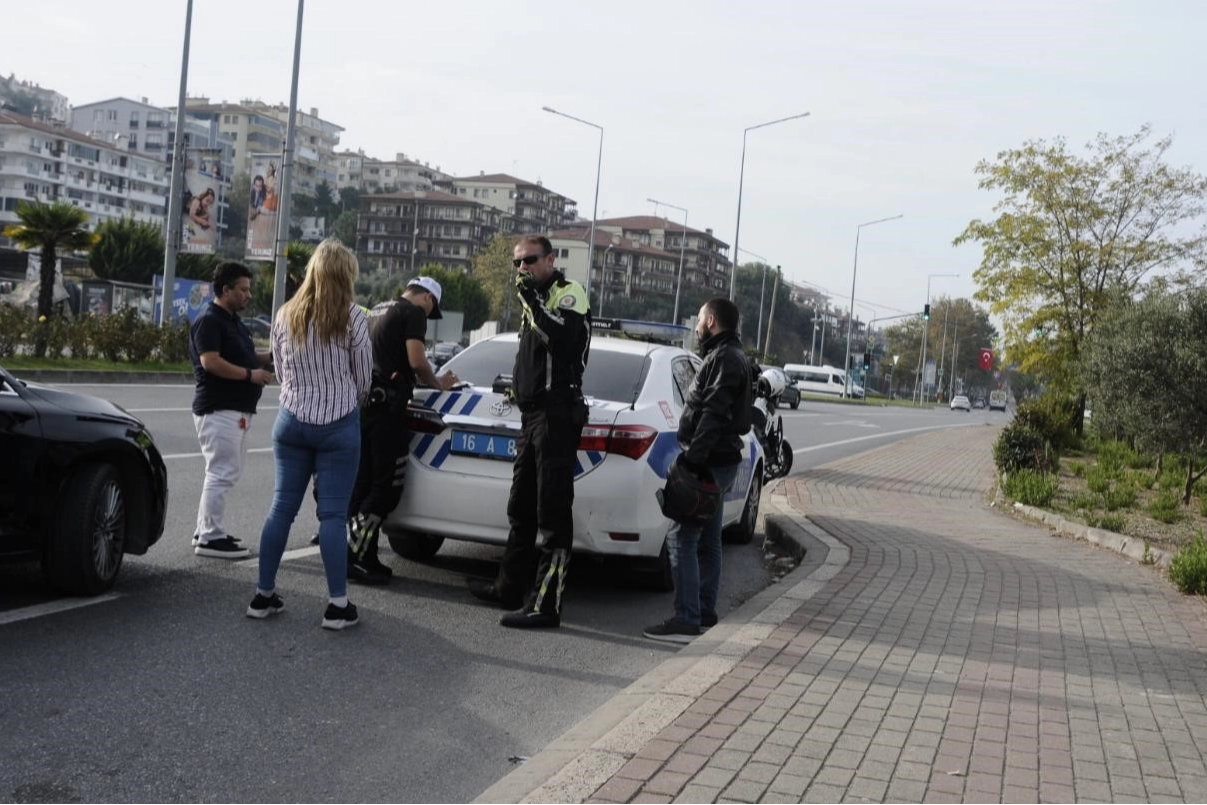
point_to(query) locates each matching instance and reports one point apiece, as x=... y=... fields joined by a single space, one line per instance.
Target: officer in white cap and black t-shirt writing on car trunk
x=399 y=331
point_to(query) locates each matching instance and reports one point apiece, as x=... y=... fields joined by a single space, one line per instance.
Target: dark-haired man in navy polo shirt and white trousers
x=231 y=376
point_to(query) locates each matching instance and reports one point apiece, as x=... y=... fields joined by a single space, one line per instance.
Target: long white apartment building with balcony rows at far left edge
x=54 y=164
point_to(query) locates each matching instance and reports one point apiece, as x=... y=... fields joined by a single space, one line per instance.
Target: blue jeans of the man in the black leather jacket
x=696 y=558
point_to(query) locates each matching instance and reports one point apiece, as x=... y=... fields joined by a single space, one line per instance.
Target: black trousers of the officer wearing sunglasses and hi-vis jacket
x=541 y=505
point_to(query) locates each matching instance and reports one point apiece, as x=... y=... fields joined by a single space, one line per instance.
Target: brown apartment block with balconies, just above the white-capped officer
x=407 y=230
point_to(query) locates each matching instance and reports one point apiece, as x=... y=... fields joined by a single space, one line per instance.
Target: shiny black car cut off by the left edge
x=81 y=485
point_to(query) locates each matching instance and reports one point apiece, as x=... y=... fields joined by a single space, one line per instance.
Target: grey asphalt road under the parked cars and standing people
x=164 y=692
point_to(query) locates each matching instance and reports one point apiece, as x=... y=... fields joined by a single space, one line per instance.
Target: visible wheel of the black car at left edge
x=86 y=547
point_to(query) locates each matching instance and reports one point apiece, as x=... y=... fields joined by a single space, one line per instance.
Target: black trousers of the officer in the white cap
x=386 y=448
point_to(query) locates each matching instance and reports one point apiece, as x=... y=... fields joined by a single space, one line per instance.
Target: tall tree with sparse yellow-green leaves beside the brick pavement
x=1075 y=235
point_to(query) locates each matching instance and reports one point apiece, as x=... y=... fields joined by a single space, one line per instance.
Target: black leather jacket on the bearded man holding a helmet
x=719 y=405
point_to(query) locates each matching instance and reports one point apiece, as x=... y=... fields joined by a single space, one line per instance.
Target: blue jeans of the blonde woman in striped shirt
x=331 y=453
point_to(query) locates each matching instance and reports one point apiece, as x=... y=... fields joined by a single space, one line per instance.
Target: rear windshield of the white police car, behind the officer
x=610 y=376
